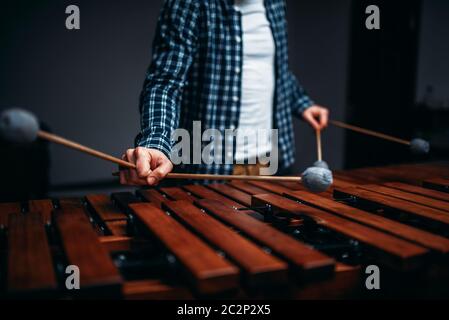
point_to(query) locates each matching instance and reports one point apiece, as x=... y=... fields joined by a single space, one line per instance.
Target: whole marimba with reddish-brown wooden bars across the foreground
x=237 y=240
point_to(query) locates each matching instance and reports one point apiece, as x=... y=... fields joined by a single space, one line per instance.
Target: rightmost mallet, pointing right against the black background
x=417 y=146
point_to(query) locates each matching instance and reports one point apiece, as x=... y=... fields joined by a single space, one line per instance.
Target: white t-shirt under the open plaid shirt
x=258 y=81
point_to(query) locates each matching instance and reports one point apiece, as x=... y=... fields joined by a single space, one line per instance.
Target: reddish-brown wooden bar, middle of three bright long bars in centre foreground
x=259 y=267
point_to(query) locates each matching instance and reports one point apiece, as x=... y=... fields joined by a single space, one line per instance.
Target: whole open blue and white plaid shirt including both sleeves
x=195 y=75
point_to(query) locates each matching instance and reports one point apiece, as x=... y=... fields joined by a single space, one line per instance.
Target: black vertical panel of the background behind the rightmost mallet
x=382 y=80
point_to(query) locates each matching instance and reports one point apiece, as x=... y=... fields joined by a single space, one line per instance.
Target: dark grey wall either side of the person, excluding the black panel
x=85 y=84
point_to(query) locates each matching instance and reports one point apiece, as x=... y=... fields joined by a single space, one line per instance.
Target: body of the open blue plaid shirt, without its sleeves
x=212 y=93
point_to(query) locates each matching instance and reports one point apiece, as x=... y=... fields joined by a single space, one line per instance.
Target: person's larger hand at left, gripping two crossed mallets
x=152 y=166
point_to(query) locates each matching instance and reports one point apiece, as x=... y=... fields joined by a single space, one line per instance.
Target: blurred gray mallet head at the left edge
x=18 y=125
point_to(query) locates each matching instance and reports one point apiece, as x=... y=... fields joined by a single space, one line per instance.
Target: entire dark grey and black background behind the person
x=84 y=84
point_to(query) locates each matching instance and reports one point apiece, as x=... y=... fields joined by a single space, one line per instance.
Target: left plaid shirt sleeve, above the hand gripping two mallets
x=174 y=46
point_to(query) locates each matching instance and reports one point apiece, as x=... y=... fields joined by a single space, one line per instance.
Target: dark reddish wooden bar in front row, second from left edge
x=83 y=249
